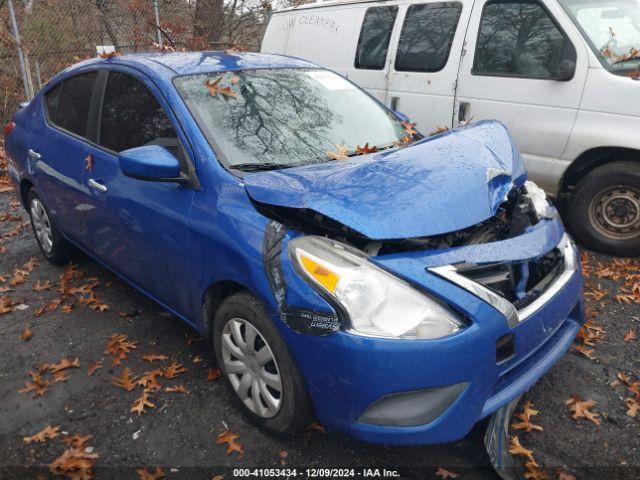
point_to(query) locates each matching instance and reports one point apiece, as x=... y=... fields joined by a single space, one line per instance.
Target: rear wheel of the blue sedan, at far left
x=52 y=244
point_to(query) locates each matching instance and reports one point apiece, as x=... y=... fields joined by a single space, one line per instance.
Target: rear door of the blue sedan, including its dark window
x=58 y=150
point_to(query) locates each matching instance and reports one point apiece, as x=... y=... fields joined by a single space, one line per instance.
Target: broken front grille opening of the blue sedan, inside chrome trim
x=519 y=282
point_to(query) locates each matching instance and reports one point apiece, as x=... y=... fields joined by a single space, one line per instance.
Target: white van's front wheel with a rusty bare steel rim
x=604 y=210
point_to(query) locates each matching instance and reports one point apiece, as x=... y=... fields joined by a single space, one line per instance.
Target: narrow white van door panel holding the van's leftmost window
x=371 y=64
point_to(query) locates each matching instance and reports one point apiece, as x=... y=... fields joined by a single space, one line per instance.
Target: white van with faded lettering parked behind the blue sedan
x=562 y=74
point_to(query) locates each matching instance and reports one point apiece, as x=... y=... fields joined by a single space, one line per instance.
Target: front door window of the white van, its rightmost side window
x=518 y=38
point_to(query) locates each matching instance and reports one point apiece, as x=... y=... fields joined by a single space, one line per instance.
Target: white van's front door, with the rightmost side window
x=526 y=66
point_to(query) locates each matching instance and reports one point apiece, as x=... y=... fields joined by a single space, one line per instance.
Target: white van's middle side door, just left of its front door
x=425 y=62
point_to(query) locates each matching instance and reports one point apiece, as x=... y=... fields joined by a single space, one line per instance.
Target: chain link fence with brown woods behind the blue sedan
x=38 y=38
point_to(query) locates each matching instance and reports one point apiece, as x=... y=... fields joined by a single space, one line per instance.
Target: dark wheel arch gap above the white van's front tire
x=593 y=158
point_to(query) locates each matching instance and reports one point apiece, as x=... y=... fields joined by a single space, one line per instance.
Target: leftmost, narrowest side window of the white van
x=374 y=37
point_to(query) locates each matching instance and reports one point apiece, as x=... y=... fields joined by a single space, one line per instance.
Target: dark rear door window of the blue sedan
x=71 y=105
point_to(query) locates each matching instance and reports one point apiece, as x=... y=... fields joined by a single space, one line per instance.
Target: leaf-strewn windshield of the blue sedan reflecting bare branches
x=288 y=117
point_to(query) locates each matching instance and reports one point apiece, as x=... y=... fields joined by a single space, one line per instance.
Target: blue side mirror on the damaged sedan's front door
x=150 y=162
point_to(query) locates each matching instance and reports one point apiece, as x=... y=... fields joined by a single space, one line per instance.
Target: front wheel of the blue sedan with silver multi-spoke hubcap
x=258 y=367
